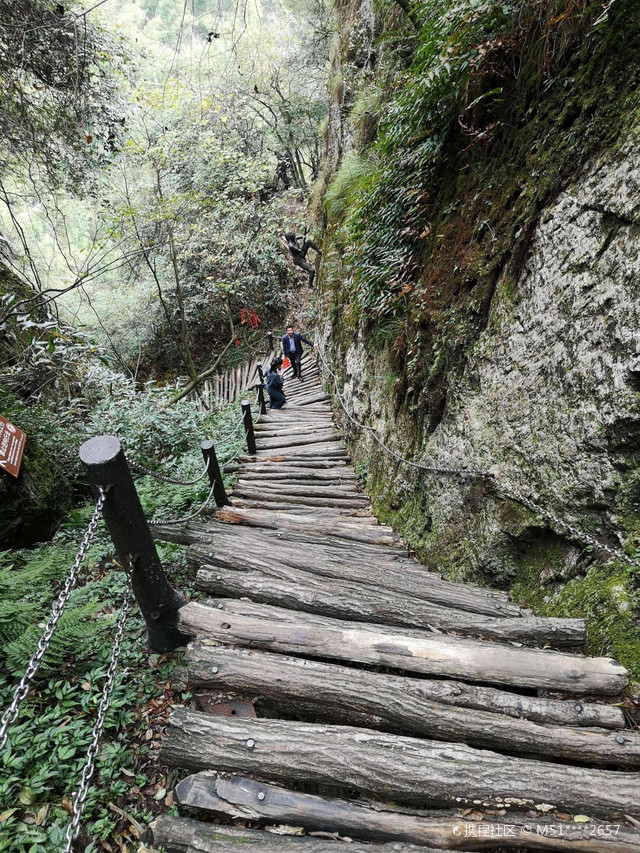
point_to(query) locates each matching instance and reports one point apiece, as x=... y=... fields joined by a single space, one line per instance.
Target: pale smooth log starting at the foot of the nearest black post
x=476 y=660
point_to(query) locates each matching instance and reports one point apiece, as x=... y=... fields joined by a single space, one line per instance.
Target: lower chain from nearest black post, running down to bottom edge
x=80 y=796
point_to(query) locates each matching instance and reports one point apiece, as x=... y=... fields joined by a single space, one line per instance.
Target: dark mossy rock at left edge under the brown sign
x=35 y=502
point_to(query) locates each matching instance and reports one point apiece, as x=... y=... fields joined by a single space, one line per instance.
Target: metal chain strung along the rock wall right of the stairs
x=504 y=488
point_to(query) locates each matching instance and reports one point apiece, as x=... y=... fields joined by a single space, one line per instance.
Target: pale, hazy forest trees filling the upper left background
x=152 y=153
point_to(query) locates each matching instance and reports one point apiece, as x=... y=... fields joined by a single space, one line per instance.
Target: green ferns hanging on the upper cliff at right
x=444 y=98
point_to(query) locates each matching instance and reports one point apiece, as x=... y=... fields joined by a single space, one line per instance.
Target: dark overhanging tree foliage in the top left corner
x=58 y=73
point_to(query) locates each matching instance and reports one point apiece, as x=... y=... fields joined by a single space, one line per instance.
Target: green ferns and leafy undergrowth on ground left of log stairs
x=47 y=746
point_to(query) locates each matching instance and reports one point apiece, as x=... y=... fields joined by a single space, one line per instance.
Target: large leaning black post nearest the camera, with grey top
x=125 y=519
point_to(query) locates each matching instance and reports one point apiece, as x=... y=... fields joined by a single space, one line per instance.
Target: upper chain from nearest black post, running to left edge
x=22 y=688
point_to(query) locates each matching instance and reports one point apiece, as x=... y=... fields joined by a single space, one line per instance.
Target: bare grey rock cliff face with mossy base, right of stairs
x=547 y=399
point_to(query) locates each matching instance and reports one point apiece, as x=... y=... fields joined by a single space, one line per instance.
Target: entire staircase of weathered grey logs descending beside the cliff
x=388 y=707
